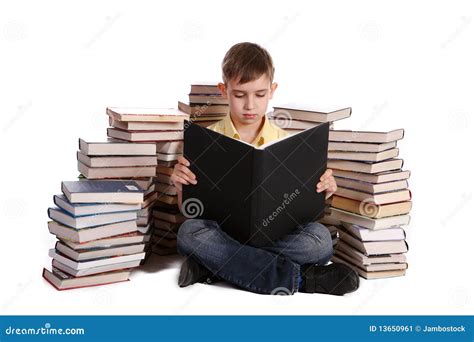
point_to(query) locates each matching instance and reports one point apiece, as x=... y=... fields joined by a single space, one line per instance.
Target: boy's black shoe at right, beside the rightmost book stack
x=336 y=279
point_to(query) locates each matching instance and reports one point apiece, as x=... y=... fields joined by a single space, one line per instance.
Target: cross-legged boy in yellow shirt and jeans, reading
x=297 y=261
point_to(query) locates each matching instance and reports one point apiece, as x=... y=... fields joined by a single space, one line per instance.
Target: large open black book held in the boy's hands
x=256 y=194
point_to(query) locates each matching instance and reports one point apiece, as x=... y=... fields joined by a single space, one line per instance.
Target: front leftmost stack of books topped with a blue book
x=95 y=223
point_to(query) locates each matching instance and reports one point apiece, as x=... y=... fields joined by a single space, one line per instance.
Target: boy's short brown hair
x=245 y=62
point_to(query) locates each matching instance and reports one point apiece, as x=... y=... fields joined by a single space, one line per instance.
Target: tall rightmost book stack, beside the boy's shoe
x=372 y=202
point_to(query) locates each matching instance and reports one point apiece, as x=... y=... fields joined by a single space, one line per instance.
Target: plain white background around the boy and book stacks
x=403 y=64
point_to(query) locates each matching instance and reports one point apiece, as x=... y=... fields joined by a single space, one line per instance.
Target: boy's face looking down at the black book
x=248 y=102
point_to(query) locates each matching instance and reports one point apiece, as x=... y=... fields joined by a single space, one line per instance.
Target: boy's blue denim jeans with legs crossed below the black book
x=273 y=269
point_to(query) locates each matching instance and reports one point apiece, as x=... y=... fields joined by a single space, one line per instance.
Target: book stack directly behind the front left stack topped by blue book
x=118 y=160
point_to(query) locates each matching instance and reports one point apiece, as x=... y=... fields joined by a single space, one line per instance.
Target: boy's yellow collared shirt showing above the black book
x=268 y=133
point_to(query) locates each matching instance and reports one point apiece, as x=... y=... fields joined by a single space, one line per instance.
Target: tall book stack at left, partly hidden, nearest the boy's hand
x=164 y=128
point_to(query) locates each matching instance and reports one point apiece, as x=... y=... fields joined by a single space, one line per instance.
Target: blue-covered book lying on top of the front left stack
x=96 y=191
